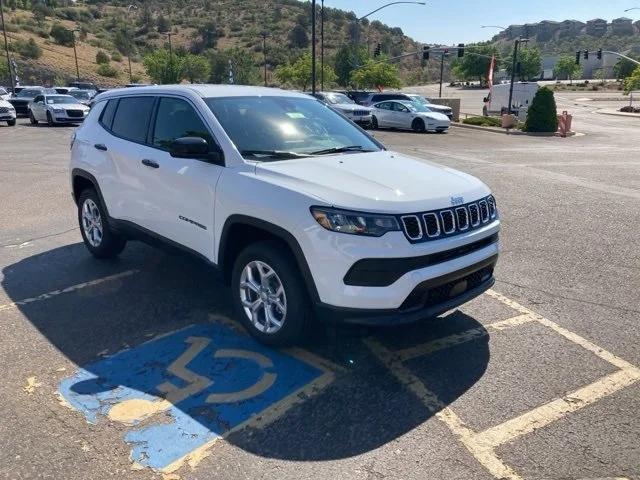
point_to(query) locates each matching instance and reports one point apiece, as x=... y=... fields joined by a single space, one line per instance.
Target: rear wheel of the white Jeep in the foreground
x=96 y=232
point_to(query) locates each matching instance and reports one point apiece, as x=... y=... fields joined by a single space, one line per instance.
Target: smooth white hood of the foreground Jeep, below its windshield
x=384 y=182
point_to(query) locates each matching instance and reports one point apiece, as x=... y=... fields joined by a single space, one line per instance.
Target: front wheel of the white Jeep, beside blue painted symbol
x=269 y=296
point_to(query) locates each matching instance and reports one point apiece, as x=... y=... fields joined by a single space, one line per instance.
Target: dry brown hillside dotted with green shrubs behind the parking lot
x=199 y=26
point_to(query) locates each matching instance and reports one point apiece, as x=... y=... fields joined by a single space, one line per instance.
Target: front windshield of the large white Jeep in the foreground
x=286 y=127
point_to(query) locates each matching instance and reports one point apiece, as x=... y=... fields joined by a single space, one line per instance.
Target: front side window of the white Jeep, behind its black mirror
x=176 y=118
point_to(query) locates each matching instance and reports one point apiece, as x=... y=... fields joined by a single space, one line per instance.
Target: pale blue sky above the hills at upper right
x=453 y=22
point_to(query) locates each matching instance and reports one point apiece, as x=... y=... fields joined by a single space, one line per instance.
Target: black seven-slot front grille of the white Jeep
x=447 y=222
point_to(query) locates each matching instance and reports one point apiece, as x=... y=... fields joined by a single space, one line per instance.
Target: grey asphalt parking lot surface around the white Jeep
x=133 y=369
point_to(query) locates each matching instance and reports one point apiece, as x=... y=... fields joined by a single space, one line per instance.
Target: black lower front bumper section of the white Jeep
x=428 y=300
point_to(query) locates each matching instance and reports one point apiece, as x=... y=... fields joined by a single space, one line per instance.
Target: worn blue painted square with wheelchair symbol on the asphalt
x=182 y=391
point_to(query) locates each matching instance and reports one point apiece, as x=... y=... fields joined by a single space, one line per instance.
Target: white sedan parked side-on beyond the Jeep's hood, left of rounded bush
x=408 y=115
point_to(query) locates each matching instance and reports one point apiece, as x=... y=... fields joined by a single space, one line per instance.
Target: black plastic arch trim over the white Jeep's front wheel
x=240 y=231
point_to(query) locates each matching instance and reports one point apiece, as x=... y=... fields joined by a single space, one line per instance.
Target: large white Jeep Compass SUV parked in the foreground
x=305 y=214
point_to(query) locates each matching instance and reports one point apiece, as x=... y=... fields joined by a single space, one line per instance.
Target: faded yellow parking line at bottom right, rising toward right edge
x=556 y=409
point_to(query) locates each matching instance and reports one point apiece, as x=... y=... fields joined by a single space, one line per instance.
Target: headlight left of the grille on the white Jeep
x=355 y=223
